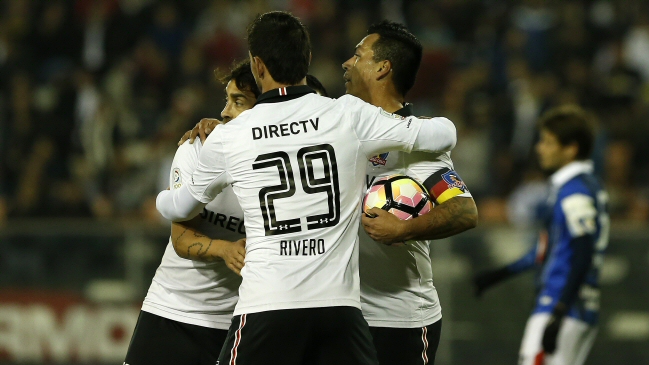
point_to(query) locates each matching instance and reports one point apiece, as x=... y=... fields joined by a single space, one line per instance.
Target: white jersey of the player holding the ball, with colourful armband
x=397 y=281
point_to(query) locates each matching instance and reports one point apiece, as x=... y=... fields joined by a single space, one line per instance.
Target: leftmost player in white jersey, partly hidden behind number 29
x=188 y=309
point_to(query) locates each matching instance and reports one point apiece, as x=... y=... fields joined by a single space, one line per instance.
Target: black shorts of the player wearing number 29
x=307 y=336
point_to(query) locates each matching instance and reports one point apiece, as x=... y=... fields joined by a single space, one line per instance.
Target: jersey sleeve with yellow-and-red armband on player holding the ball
x=440 y=179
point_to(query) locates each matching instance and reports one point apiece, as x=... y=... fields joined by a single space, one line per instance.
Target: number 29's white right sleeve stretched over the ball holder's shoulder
x=379 y=131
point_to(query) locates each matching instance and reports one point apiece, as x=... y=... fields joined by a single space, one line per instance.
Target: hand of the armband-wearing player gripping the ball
x=383 y=227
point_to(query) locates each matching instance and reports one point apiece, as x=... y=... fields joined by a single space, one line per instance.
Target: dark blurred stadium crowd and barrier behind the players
x=94 y=95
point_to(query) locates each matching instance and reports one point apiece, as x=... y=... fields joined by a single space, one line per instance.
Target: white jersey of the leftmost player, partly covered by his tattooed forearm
x=194 y=292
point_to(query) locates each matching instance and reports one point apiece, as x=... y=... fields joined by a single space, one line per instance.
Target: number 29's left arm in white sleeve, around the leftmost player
x=207 y=181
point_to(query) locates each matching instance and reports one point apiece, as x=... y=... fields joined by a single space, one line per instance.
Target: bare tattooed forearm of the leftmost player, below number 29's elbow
x=190 y=244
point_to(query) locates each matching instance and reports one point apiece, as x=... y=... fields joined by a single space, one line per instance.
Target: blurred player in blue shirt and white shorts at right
x=569 y=252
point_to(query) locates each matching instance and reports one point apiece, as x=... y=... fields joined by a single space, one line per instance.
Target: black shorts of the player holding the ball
x=407 y=346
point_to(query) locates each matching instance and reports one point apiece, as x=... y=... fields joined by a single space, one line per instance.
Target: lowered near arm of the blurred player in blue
x=580 y=214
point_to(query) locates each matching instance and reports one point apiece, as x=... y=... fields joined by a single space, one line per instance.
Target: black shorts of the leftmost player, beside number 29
x=161 y=341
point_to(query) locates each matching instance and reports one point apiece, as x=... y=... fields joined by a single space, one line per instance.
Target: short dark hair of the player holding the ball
x=397 y=45
